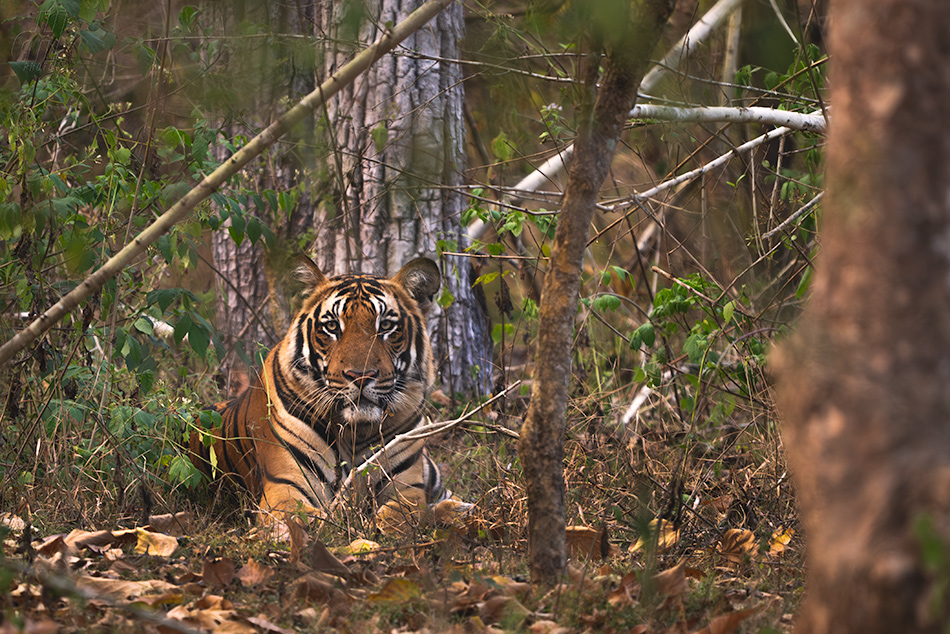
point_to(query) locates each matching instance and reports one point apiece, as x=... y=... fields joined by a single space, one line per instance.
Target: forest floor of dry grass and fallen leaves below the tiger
x=671 y=529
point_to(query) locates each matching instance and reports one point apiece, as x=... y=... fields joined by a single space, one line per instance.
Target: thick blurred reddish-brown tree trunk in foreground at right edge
x=865 y=382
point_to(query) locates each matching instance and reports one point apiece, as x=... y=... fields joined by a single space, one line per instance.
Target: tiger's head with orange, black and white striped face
x=358 y=351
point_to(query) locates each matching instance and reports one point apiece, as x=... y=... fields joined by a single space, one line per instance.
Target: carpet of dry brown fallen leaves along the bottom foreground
x=87 y=578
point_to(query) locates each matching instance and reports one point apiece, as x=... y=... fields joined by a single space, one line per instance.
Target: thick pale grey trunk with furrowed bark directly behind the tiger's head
x=400 y=137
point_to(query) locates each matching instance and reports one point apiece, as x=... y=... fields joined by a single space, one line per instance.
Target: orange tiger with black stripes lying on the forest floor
x=351 y=374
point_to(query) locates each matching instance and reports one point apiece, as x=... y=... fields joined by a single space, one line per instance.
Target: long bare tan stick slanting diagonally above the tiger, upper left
x=350 y=71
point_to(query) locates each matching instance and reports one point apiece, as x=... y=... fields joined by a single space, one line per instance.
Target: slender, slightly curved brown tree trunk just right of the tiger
x=541 y=447
